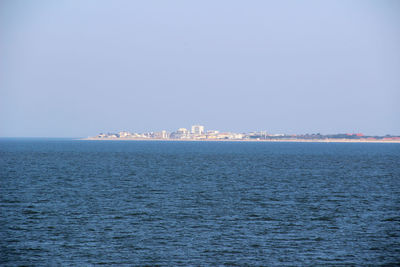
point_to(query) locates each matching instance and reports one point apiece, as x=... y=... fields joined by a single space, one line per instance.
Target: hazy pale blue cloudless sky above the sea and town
x=77 y=68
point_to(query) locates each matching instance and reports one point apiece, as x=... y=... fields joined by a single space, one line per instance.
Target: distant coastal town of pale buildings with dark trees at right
x=198 y=132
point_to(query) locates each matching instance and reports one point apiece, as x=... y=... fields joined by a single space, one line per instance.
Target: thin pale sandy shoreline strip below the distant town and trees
x=240 y=140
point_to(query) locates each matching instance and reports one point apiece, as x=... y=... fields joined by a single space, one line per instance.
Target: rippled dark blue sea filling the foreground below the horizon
x=79 y=203
